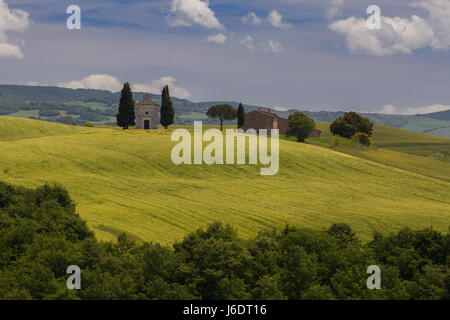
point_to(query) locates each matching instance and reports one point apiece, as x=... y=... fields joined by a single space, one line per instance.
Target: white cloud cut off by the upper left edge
x=15 y=21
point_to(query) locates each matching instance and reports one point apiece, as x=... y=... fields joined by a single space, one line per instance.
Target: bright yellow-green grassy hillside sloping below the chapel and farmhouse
x=124 y=181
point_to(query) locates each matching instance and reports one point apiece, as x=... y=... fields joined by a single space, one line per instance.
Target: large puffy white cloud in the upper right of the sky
x=397 y=35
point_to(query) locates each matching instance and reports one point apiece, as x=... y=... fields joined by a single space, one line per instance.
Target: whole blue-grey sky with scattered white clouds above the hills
x=308 y=54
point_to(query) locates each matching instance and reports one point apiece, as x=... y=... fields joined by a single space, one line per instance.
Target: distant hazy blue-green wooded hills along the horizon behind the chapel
x=100 y=107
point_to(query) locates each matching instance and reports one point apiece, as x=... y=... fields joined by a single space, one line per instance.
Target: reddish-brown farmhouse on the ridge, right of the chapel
x=259 y=119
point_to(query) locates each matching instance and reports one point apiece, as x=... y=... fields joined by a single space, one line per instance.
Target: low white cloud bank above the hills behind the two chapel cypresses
x=110 y=83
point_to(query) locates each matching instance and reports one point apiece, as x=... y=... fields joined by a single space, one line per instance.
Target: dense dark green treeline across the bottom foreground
x=41 y=235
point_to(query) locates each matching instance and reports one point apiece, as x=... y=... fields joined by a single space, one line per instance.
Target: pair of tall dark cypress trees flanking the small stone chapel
x=126 y=116
